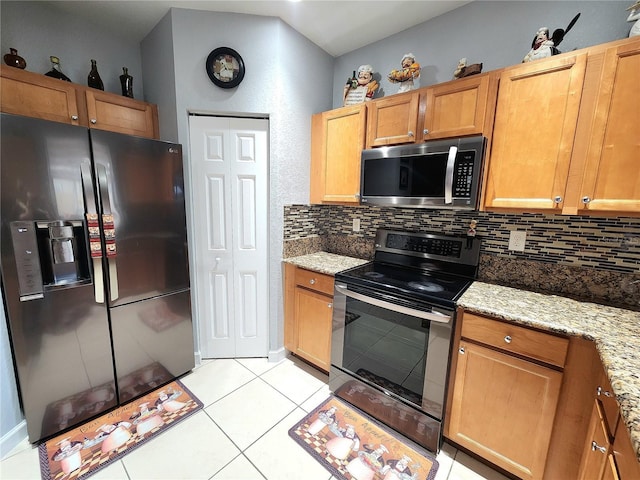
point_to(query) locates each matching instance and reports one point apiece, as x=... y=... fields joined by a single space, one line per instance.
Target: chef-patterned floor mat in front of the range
x=353 y=446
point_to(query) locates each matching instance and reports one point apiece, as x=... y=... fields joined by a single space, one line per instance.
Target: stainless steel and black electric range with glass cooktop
x=392 y=327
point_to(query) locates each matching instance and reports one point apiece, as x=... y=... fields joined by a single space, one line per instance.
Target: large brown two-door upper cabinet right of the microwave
x=564 y=138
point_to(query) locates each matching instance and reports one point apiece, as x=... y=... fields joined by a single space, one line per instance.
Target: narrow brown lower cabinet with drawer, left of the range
x=308 y=313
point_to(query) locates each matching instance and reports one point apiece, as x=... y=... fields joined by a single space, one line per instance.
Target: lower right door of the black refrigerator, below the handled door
x=153 y=342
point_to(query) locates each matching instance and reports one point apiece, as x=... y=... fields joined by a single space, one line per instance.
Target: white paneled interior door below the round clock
x=229 y=181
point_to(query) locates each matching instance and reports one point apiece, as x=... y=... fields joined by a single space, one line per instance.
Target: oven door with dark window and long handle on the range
x=401 y=349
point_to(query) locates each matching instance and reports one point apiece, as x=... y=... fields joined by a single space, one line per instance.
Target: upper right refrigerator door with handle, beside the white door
x=141 y=185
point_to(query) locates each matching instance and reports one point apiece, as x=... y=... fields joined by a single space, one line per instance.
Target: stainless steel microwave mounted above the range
x=437 y=174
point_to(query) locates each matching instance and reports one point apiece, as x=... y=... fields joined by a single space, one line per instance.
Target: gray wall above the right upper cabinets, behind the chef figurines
x=494 y=33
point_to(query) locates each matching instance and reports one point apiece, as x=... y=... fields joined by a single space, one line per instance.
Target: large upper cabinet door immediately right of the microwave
x=535 y=124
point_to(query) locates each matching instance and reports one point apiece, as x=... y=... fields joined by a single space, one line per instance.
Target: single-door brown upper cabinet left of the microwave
x=337 y=140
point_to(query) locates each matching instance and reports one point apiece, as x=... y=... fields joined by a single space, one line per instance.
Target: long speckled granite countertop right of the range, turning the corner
x=616 y=333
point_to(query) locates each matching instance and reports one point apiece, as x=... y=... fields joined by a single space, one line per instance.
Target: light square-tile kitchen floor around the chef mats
x=241 y=434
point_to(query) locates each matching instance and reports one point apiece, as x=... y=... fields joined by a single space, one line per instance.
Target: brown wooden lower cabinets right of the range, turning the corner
x=532 y=403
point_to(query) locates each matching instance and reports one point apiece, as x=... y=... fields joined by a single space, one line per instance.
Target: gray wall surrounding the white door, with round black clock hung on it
x=273 y=86
